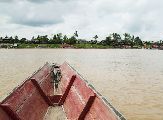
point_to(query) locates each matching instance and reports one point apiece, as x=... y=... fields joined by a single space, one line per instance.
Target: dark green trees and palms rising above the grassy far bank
x=114 y=40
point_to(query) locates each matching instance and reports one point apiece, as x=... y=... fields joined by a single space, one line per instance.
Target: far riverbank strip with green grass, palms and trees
x=59 y=40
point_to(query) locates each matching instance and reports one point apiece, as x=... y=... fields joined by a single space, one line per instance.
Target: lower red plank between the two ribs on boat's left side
x=34 y=108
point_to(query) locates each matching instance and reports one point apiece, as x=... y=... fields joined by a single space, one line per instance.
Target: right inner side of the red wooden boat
x=78 y=103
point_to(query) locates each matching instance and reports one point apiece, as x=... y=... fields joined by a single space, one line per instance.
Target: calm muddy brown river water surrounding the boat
x=132 y=80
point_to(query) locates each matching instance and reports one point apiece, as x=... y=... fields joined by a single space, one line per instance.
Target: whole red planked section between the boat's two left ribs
x=32 y=106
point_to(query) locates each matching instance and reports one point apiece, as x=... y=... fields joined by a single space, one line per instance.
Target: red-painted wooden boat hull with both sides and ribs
x=80 y=100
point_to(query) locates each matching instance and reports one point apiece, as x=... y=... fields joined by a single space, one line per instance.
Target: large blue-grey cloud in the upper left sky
x=30 y=14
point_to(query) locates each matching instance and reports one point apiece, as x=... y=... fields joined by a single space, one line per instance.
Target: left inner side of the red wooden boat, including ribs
x=28 y=101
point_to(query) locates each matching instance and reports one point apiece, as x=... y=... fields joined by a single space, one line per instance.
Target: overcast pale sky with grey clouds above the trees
x=27 y=18
